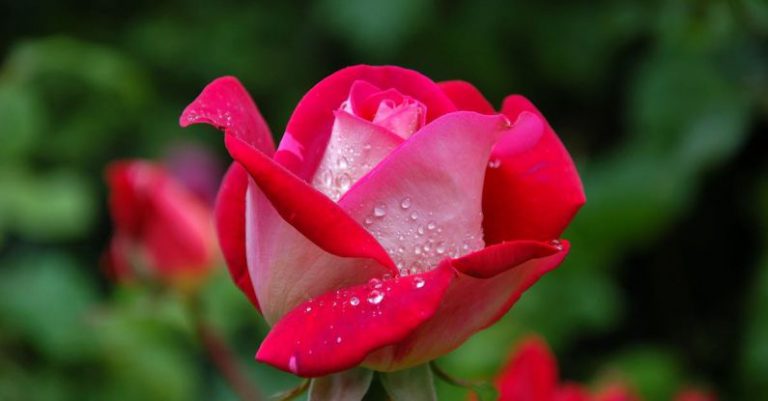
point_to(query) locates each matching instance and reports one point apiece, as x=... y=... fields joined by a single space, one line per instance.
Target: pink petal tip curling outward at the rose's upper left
x=226 y=105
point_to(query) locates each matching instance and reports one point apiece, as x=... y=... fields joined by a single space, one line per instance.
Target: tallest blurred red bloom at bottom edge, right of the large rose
x=530 y=375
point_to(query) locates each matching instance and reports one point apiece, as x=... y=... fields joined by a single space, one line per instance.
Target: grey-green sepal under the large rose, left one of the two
x=350 y=385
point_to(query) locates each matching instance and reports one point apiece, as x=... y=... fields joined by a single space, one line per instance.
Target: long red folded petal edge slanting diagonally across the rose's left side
x=316 y=216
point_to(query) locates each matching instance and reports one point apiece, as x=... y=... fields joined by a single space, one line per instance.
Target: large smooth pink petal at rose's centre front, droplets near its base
x=423 y=202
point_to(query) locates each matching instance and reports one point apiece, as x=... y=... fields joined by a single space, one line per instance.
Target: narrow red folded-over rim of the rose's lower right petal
x=498 y=258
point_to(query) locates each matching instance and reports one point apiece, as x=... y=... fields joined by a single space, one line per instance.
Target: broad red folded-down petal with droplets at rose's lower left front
x=337 y=330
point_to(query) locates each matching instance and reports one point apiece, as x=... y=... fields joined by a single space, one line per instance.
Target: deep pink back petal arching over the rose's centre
x=310 y=125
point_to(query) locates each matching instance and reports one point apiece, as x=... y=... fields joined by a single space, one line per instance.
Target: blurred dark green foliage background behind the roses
x=663 y=105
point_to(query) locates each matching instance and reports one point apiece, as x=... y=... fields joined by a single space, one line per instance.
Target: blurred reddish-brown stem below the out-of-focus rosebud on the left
x=221 y=356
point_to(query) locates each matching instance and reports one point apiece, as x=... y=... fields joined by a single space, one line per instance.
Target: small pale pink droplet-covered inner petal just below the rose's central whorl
x=355 y=147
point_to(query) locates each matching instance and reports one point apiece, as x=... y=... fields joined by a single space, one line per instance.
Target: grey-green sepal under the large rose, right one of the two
x=415 y=383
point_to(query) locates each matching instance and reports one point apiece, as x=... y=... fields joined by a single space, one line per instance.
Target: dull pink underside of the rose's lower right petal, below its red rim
x=469 y=305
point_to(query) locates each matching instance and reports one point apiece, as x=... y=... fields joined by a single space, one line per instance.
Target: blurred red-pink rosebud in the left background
x=162 y=230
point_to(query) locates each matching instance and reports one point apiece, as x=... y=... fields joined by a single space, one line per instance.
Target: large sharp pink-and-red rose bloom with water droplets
x=397 y=217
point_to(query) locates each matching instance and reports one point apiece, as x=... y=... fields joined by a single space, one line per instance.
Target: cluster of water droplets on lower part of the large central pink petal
x=414 y=239
